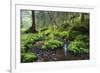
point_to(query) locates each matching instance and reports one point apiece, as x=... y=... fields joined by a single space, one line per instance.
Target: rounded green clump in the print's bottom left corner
x=28 y=57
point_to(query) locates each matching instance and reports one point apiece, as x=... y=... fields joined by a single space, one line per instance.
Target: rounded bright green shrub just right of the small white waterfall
x=77 y=47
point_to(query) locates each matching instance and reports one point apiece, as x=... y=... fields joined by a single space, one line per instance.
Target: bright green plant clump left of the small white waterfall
x=52 y=44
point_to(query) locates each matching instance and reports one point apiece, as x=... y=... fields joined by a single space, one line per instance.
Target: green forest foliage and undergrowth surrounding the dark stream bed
x=52 y=30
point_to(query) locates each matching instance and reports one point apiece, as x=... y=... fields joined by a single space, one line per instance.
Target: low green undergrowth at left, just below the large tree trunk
x=28 y=39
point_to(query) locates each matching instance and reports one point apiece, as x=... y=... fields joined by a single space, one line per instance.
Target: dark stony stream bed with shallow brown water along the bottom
x=57 y=55
